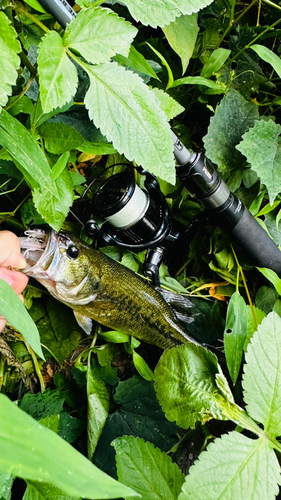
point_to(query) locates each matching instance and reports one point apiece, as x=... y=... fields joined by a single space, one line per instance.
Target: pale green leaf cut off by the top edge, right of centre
x=161 y=12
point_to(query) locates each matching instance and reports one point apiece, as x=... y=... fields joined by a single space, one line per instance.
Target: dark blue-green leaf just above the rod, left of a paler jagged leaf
x=234 y=116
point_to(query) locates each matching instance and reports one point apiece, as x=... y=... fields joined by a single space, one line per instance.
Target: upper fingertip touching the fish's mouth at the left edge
x=10 y=250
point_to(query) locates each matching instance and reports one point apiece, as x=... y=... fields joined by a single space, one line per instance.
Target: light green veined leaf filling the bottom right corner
x=233 y=467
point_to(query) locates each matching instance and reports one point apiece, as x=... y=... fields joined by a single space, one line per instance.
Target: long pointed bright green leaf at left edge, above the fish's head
x=26 y=153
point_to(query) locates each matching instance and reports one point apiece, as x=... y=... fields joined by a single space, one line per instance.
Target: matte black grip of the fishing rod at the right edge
x=252 y=238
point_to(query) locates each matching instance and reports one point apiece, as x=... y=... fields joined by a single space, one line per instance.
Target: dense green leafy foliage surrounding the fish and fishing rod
x=78 y=105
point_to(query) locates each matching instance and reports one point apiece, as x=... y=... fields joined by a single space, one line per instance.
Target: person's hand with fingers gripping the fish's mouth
x=10 y=256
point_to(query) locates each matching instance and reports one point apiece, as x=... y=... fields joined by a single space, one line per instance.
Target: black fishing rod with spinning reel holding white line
x=139 y=219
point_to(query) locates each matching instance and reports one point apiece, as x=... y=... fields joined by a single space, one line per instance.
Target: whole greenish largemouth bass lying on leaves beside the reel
x=98 y=288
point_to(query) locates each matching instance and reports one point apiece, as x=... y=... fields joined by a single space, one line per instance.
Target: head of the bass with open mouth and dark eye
x=63 y=264
